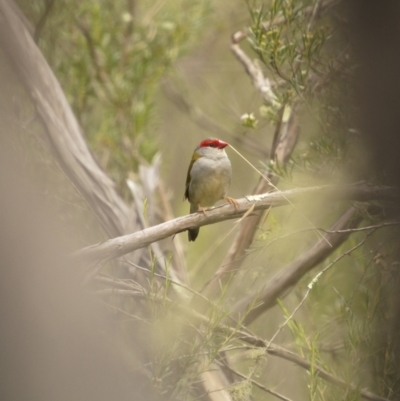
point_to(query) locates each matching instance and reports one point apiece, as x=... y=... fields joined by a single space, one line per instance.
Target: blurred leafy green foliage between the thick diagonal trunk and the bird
x=110 y=57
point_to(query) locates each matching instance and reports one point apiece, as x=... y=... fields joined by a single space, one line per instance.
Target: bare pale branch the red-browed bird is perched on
x=122 y=245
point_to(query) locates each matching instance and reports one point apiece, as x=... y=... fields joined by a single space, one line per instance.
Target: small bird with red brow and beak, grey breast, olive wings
x=208 y=178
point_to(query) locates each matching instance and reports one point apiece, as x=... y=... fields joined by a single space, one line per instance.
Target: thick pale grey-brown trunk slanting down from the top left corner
x=62 y=130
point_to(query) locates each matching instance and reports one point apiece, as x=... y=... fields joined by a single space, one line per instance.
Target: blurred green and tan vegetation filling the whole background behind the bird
x=151 y=79
